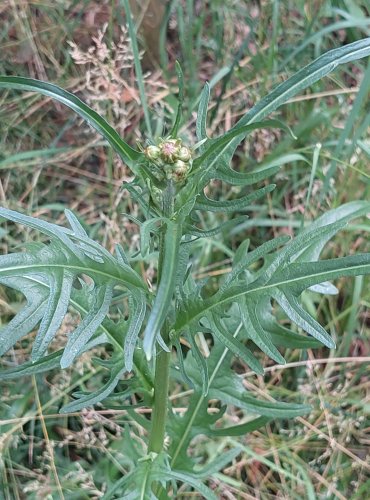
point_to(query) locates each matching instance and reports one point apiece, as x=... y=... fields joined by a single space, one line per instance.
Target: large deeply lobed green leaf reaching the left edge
x=45 y=274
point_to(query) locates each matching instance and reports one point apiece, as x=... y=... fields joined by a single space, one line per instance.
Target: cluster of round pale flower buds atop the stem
x=172 y=157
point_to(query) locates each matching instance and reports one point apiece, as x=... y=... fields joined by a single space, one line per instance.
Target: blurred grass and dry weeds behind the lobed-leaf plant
x=50 y=161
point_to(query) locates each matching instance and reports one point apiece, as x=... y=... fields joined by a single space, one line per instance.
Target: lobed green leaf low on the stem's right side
x=226 y=387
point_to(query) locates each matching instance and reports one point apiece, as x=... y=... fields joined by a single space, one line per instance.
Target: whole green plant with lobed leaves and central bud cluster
x=183 y=313
